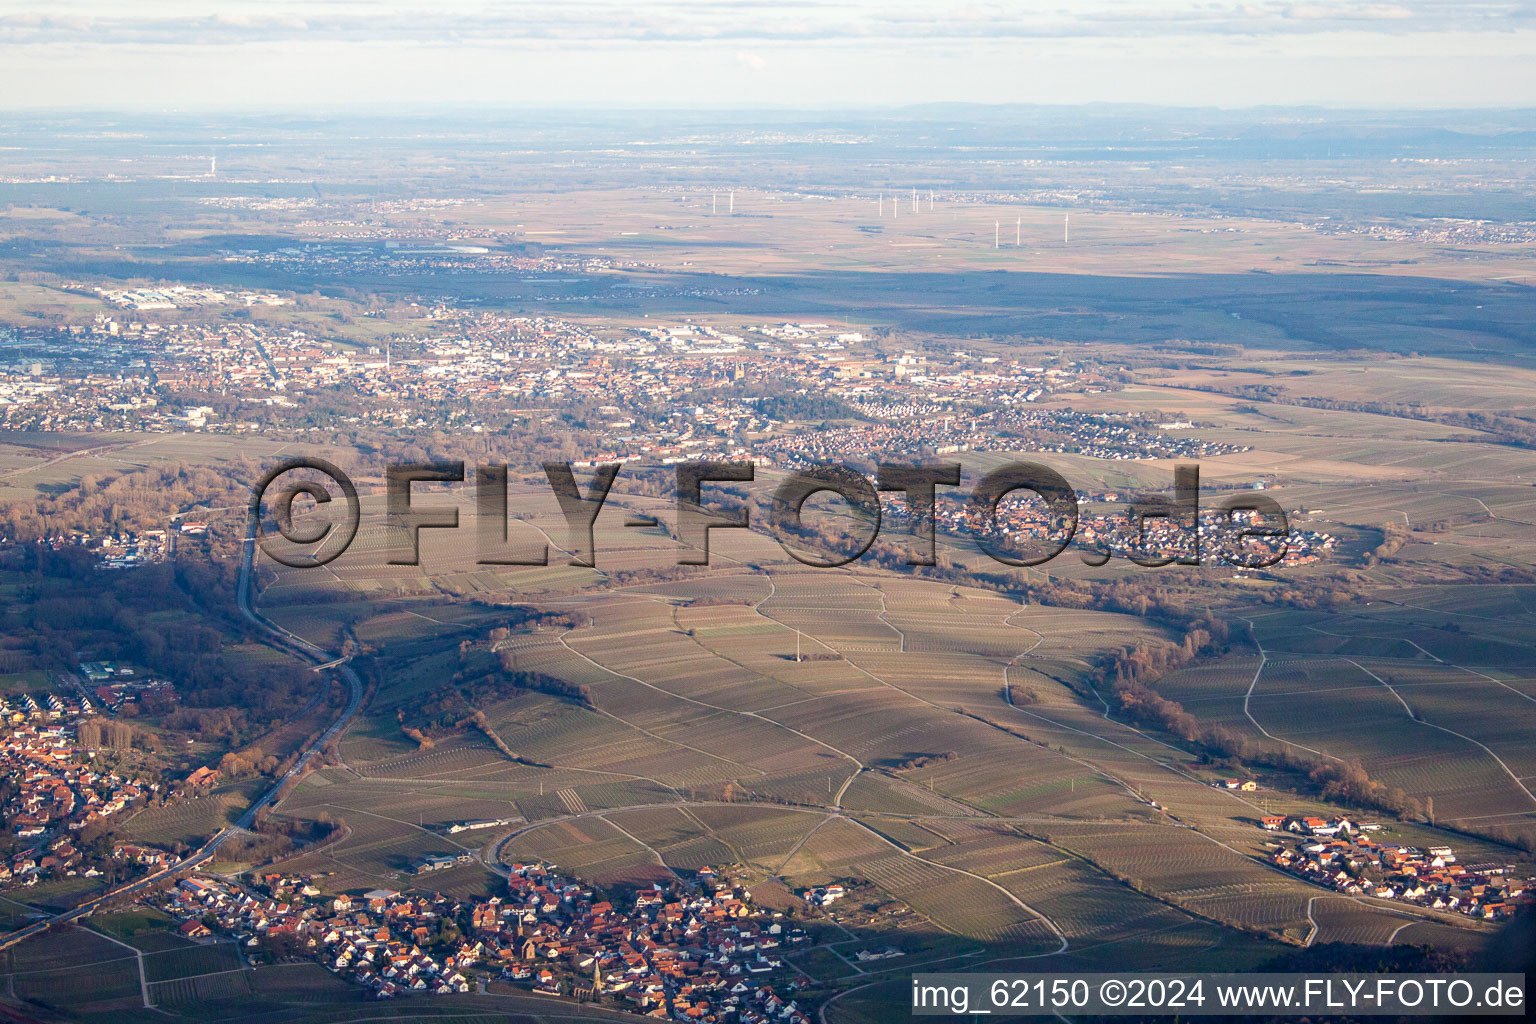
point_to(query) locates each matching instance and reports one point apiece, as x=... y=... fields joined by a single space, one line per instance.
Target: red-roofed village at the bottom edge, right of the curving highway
x=689 y=951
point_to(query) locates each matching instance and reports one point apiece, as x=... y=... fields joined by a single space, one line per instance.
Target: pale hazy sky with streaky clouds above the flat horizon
x=362 y=55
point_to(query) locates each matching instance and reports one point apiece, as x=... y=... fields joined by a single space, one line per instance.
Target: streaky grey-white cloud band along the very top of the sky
x=849 y=22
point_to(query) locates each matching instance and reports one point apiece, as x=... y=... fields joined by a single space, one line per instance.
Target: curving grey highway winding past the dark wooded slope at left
x=290 y=642
